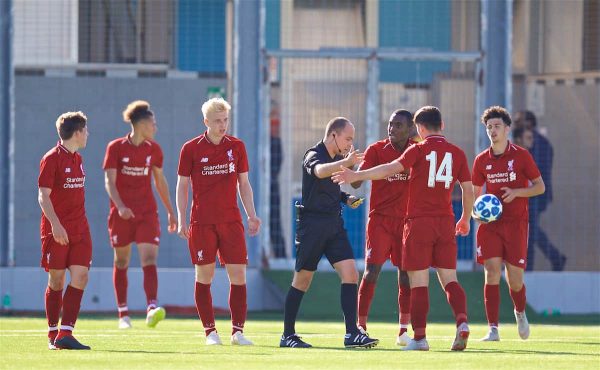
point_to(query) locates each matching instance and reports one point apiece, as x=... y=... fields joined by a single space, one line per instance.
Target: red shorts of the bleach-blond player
x=225 y=239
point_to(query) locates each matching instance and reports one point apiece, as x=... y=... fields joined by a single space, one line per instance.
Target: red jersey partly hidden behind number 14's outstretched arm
x=388 y=196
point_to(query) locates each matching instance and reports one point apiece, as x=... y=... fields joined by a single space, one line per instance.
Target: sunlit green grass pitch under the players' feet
x=179 y=343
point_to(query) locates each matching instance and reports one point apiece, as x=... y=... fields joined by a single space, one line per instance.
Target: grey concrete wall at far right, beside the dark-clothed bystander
x=569 y=116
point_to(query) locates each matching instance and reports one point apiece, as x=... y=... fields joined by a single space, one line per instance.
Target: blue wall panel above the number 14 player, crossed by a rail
x=414 y=24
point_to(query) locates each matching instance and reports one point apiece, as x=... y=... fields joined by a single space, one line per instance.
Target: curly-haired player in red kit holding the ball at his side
x=509 y=172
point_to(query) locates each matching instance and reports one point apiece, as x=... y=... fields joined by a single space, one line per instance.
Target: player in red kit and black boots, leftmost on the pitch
x=64 y=230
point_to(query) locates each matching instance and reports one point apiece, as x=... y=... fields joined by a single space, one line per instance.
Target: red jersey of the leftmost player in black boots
x=63 y=173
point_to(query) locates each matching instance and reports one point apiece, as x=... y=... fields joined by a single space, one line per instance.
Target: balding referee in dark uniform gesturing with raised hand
x=320 y=231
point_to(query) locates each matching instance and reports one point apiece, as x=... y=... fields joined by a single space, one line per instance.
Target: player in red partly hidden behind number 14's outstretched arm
x=388 y=202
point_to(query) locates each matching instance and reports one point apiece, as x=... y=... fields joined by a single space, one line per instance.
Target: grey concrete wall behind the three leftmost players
x=41 y=96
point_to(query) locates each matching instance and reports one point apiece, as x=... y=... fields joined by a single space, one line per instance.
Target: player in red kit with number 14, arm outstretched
x=429 y=231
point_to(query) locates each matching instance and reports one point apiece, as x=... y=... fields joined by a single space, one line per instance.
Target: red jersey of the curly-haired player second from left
x=134 y=171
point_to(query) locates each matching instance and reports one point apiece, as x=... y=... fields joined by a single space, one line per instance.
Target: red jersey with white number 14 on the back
x=435 y=166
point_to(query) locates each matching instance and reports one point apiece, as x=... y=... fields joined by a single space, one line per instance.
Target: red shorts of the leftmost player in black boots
x=59 y=257
